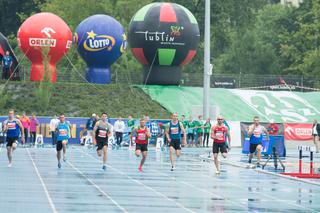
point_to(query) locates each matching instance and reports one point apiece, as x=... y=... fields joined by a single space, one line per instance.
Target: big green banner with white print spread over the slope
x=240 y=105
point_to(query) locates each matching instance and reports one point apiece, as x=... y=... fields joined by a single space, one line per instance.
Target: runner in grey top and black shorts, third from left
x=101 y=133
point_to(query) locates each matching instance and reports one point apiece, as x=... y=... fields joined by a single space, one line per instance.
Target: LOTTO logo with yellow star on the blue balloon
x=96 y=42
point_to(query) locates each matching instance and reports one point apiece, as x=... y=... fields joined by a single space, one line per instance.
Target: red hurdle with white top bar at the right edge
x=300 y=174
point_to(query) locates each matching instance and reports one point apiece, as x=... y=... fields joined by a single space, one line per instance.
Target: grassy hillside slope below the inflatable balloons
x=75 y=99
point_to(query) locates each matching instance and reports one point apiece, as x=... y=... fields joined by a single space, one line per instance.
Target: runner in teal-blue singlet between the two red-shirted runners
x=173 y=133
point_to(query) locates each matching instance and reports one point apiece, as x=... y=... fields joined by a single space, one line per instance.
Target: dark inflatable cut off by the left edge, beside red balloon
x=4 y=47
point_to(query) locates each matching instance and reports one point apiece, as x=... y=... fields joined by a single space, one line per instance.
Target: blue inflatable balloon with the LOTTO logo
x=100 y=41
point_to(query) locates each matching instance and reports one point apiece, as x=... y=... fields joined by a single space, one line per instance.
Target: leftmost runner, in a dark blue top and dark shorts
x=13 y=128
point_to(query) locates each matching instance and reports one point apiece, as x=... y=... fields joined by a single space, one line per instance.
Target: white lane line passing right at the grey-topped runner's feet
x=140 y=183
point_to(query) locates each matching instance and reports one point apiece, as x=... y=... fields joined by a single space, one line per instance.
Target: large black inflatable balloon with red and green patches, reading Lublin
x=163 y=37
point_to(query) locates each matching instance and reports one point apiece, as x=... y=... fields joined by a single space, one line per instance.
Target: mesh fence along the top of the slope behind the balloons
x=269 y=82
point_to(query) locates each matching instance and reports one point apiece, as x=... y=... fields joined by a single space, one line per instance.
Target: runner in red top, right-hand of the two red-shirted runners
x=218 y=134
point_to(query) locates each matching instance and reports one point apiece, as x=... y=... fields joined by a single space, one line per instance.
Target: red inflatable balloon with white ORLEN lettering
x=44 y=34
